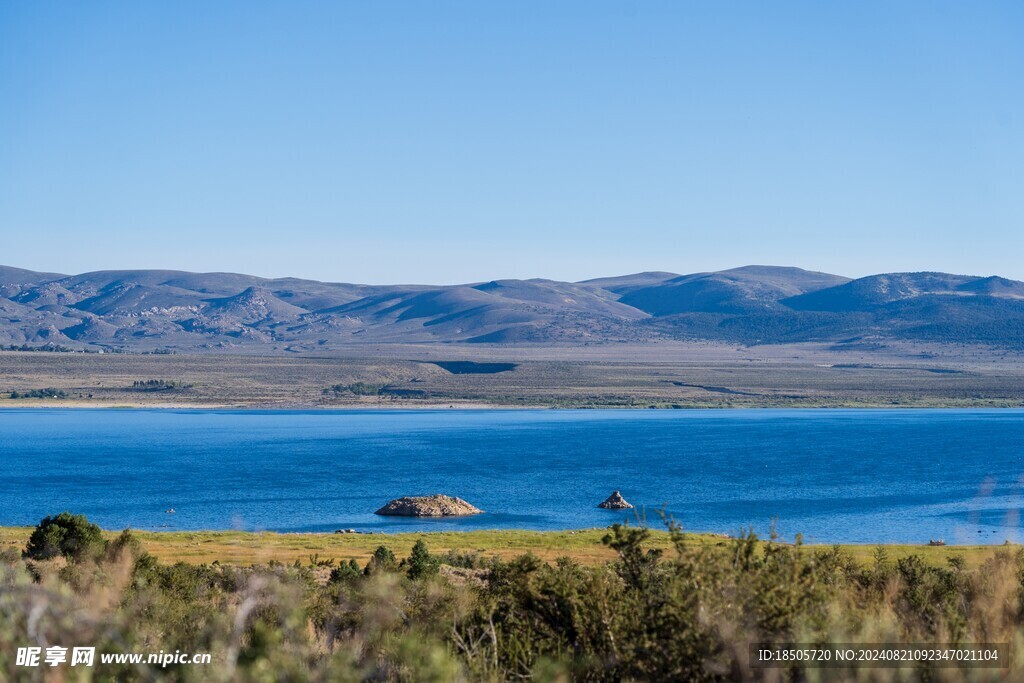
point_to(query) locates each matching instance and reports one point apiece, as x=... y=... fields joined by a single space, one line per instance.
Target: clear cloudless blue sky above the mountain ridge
x=437 y=142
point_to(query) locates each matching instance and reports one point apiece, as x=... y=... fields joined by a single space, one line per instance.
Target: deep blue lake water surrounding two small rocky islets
x=893 y=476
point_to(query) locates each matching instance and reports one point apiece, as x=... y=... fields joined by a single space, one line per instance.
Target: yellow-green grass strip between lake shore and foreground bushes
x=243 y=548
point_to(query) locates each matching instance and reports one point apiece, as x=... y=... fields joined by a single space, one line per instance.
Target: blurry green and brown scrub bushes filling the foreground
x=687 y=615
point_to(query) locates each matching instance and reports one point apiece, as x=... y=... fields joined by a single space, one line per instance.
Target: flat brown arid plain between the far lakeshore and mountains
x=666 y=376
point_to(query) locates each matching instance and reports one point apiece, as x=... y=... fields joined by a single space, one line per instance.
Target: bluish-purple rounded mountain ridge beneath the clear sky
x=151 y=311
